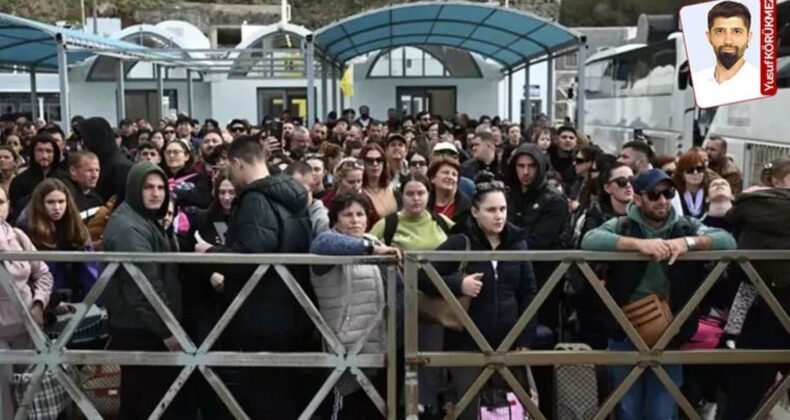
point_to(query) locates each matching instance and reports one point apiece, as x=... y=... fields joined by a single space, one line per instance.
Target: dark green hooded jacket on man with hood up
x=133 y=228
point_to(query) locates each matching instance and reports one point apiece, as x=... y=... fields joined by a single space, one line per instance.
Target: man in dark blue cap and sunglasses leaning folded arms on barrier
x=652 y=228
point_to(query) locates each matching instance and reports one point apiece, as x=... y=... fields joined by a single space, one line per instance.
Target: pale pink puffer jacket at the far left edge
x=32 y=280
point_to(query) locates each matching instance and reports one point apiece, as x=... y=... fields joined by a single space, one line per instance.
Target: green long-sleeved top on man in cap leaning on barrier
x=605 y=238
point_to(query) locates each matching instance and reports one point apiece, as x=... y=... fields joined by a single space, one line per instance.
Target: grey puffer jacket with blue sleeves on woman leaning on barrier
x=349 y=296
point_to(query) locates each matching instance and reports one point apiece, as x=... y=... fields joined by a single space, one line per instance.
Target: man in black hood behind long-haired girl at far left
x=44 y=159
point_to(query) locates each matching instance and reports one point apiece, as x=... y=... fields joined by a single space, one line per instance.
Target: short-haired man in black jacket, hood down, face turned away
x=269 y=216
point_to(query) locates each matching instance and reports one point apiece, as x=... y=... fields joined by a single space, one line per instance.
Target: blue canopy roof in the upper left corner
x=29 y=43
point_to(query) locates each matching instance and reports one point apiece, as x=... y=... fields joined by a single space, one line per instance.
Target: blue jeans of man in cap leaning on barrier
x=648 y=398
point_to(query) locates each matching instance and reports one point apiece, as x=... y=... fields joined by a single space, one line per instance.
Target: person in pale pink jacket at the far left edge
x=33 y=282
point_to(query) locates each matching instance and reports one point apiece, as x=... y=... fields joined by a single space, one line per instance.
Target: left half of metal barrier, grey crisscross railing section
x=50 y=356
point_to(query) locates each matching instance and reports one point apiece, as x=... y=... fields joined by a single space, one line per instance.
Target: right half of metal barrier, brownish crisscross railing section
x=501 y=359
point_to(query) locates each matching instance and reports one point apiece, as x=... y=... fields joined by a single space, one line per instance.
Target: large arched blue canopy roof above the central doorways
x=510 y=37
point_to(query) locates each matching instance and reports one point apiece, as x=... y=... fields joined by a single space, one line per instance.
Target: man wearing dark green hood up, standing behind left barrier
x=135 y=227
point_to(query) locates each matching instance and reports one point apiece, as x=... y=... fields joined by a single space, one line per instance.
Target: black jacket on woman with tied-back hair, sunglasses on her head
x=506 y=292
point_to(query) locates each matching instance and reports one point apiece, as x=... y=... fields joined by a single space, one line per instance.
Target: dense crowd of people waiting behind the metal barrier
x=353 y=185
